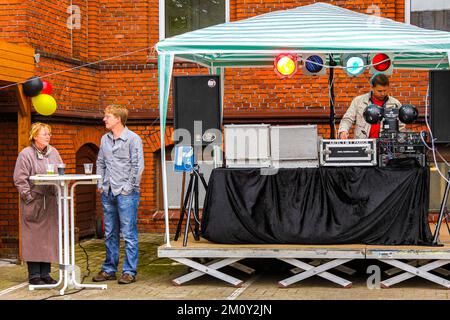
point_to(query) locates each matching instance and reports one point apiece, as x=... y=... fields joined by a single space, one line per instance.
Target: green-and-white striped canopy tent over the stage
x=315 y=28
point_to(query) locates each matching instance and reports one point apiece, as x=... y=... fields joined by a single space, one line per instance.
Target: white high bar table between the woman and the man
x=66 y=220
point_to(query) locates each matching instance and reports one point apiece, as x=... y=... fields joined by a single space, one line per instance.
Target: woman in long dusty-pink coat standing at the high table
x=38 y=205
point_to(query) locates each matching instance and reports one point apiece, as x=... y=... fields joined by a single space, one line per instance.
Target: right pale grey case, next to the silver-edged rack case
x=294 y=146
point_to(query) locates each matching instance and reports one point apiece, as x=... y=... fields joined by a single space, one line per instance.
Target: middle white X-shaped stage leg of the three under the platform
x=315 y=271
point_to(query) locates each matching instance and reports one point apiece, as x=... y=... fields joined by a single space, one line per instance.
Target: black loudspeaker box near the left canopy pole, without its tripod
x=196 y=101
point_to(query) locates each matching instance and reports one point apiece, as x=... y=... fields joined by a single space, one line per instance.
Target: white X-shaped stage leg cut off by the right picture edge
x=413 y=272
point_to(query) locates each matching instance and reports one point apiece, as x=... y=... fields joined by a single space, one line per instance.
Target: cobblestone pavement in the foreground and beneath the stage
x=155 y=275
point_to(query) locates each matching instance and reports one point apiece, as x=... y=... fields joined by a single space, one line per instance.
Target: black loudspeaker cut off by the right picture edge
x=440 y=105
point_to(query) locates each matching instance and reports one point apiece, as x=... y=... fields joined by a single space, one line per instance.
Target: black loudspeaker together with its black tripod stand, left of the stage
x=197 y=123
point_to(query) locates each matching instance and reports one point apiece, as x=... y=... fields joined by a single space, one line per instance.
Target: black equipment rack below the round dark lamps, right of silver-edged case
x=401 y=145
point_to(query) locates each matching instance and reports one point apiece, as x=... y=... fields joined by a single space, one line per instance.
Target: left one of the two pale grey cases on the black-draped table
x=247 y=145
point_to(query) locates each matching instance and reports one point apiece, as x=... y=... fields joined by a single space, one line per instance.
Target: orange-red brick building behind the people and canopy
x=67 y=37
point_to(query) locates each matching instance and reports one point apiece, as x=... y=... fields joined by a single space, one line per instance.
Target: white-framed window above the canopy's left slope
x=180 y=16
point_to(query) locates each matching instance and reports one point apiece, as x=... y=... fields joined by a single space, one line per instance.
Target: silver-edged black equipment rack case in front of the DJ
x=356 y=152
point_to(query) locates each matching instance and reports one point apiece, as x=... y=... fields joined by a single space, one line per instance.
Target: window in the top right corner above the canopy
x=430 y=14
